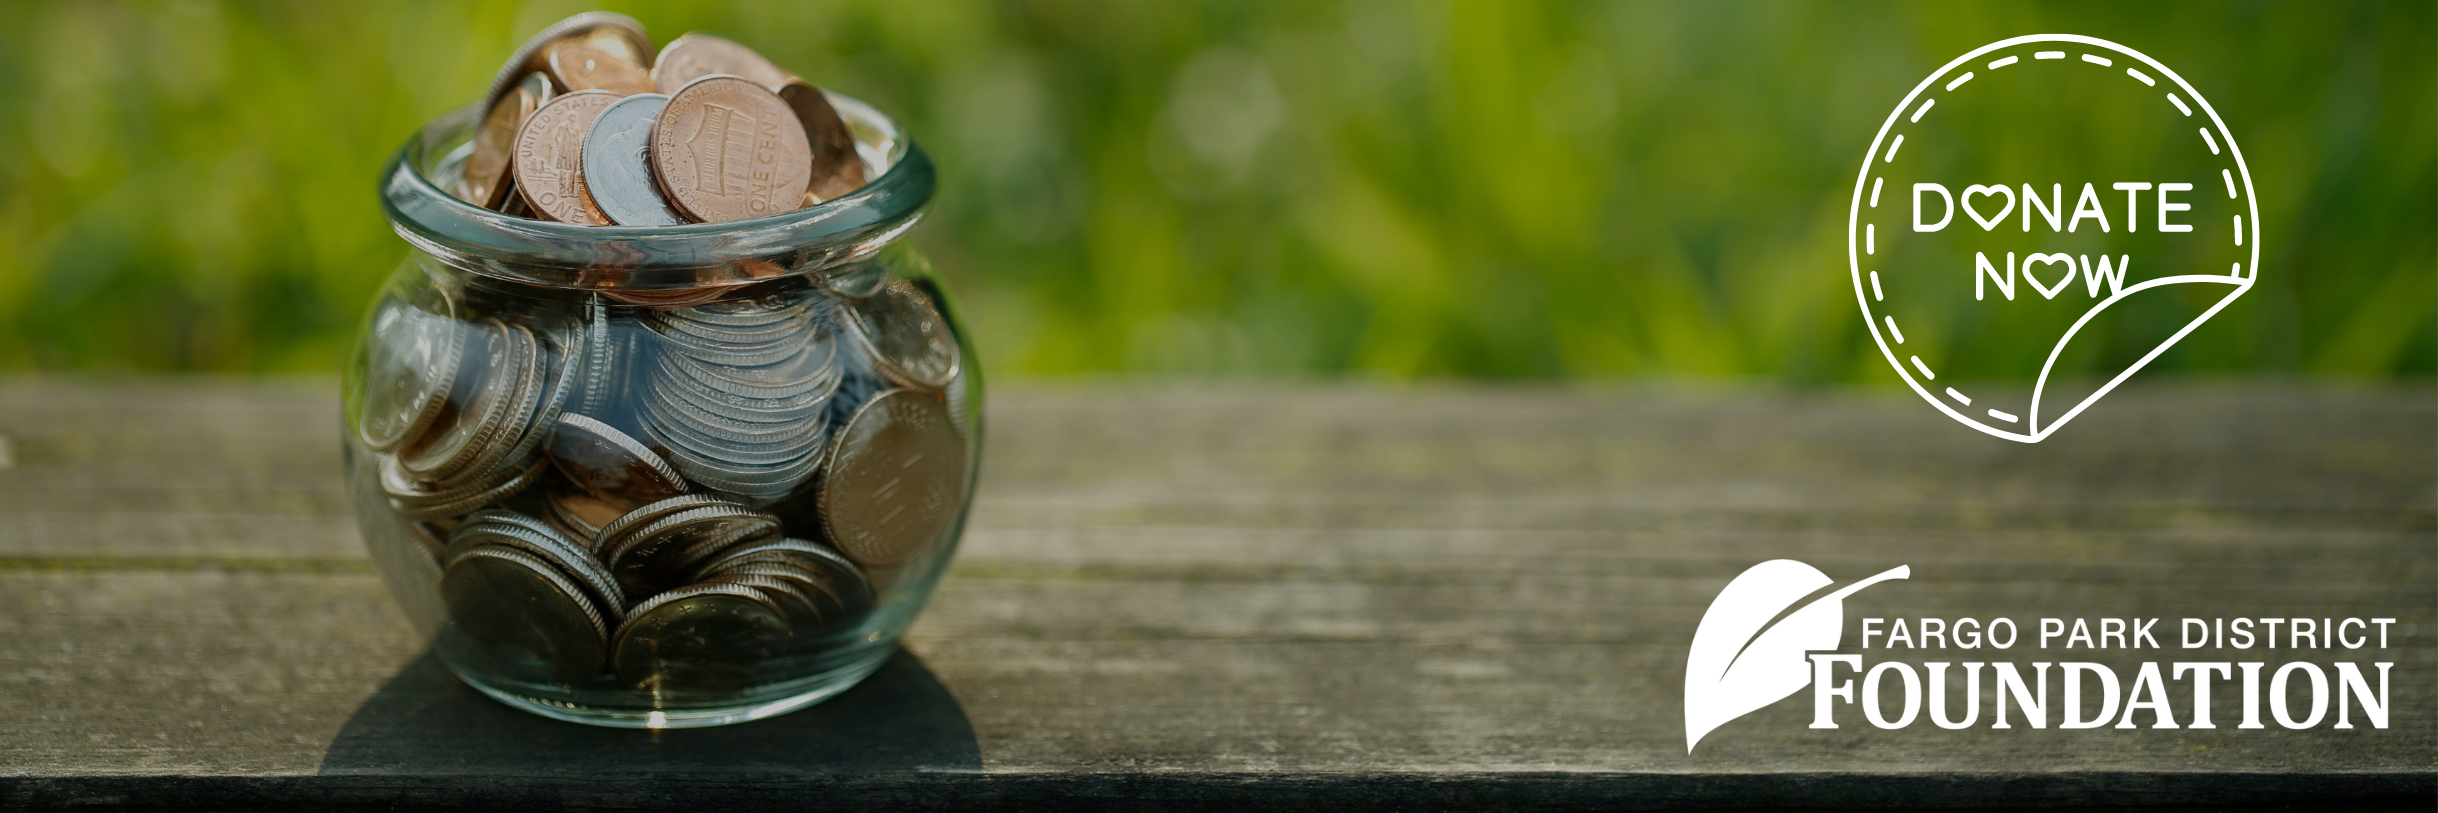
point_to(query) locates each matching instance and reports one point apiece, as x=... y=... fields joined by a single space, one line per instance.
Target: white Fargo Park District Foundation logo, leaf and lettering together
x=1761 y=641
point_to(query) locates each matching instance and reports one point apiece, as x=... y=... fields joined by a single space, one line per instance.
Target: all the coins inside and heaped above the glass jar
x=662 y=490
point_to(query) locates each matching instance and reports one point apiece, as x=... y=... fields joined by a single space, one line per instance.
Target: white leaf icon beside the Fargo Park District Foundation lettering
x=1737 y=668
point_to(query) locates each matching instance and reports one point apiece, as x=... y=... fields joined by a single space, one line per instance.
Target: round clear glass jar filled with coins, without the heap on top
x=662 y=477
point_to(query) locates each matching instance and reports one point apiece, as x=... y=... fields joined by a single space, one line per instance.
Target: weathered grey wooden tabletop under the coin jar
x=1259 y=597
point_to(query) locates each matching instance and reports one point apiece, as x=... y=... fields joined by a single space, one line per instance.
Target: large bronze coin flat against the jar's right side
x=894 y=480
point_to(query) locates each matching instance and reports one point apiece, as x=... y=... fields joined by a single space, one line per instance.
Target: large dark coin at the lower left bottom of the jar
x=525 y=616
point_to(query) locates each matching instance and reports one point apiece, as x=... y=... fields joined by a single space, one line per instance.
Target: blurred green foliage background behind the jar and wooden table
x=1386 y=189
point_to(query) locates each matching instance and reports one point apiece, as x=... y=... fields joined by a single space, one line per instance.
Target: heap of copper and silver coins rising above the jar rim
x=586 y=123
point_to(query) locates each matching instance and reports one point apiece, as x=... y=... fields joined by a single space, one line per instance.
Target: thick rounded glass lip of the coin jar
x=694 y=255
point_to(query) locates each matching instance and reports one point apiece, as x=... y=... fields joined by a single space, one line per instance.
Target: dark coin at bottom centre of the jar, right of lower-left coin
x=701 y=638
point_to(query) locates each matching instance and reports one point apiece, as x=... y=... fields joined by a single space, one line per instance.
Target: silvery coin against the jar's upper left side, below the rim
x=411 y=367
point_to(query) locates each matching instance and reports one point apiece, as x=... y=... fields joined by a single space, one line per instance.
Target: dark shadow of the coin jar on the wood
x=425 y=721
